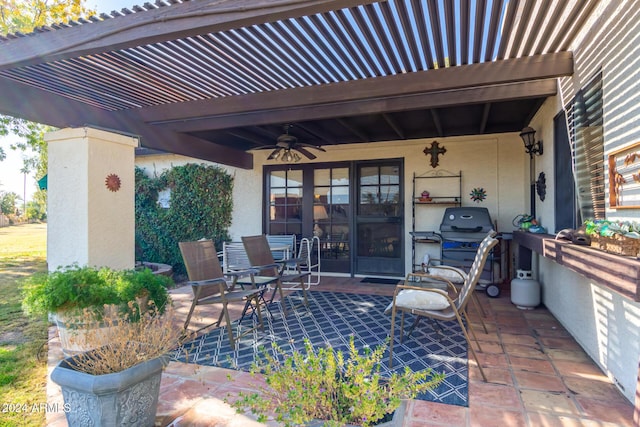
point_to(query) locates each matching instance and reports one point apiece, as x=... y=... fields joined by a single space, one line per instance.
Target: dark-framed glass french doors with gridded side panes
x=354 y=208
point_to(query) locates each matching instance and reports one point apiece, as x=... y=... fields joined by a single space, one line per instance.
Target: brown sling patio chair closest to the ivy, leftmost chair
x=210 y=286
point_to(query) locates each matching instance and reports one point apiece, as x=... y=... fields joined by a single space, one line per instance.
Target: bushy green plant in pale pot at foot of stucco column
x=69 y=295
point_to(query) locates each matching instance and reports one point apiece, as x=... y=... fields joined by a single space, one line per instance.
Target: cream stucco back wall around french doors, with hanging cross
x=496 y=163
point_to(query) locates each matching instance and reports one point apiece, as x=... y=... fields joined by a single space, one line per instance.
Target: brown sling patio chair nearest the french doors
x=261 y=259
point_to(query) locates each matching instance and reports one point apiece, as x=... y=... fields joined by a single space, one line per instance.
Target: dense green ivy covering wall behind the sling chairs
x=200 y=206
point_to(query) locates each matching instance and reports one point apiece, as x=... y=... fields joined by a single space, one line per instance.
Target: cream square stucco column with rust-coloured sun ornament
x=91 y=217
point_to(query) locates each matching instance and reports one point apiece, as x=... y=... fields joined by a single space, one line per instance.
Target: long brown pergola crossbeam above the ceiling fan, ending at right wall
x=430 y=81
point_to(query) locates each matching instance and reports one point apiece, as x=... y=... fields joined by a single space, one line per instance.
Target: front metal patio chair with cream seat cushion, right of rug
x=437 y=304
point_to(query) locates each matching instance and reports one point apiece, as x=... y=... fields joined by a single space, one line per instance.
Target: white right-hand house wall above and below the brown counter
x=604 y=323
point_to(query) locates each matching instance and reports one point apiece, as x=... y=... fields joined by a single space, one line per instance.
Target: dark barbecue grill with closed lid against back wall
x=461 y=231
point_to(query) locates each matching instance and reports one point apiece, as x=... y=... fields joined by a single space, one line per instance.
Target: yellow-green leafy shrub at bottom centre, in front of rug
x=324 y=387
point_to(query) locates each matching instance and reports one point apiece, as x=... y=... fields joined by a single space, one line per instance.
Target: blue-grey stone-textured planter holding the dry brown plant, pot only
x=126 y=398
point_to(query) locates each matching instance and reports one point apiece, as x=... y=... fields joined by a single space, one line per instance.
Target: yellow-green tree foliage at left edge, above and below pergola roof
x=24 y=16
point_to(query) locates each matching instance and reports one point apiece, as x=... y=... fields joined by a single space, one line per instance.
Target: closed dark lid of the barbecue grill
x=465 y=224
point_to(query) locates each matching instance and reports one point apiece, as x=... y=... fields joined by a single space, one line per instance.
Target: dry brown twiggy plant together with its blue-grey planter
x=118 y=382
